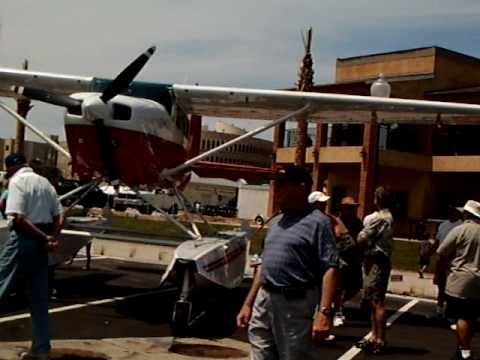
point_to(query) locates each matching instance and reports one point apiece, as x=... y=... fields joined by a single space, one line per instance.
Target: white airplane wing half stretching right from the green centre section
x=329 y=108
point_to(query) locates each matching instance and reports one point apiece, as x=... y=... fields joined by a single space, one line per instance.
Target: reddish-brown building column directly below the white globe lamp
x=368 y=167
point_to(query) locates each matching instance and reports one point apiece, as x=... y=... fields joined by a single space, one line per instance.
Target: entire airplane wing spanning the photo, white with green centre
x=255 y=103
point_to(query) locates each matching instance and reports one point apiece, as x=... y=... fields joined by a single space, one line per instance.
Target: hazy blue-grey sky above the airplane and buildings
x=254 y=44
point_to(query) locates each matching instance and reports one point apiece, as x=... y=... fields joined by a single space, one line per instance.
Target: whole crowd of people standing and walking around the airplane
x=312 y=263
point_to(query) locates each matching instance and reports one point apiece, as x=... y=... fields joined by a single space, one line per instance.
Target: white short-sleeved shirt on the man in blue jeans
x=33 y=196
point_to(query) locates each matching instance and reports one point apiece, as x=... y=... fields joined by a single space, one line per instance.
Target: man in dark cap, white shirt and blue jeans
x=35 y=217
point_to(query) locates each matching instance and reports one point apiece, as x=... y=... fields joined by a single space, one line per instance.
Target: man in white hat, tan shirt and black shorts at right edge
x=461 y=251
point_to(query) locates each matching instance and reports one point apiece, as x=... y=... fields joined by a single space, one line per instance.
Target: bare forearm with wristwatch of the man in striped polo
x=322 y=324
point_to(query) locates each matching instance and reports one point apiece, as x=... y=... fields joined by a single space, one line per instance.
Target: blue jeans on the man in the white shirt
x=24 y=259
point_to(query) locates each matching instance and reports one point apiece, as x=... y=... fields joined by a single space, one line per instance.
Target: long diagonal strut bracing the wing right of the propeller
x=300 y=112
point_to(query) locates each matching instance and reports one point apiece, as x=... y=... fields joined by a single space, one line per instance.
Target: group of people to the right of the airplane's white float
x=312 y=262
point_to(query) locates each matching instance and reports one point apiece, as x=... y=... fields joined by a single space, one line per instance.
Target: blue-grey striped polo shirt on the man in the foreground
x=299 y=247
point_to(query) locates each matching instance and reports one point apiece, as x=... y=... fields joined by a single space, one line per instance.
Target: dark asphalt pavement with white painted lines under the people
x=117 y=311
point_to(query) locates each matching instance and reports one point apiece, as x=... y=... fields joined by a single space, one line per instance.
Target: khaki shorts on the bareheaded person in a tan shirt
x=376 y=275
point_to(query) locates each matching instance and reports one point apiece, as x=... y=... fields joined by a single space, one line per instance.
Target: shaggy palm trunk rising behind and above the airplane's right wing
x=305 y=83
